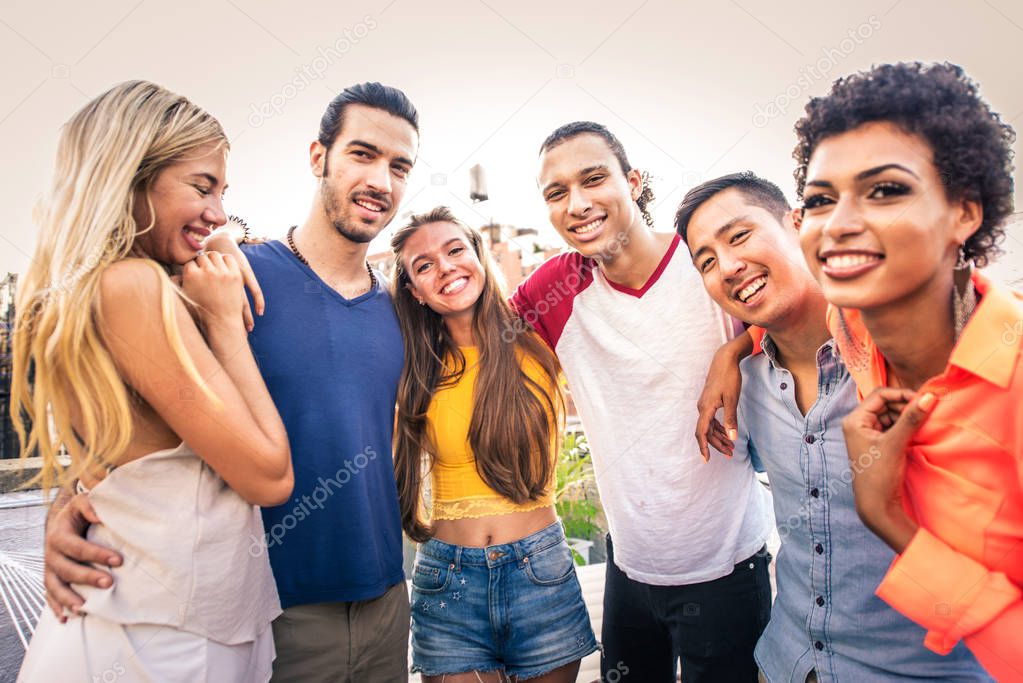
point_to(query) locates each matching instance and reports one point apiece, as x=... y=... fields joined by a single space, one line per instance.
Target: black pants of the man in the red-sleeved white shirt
x=713 y=627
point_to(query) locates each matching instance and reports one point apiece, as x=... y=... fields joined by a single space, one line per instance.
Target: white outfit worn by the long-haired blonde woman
x=193 y=601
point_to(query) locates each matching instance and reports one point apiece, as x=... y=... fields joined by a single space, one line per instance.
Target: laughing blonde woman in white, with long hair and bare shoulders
x=156 y=395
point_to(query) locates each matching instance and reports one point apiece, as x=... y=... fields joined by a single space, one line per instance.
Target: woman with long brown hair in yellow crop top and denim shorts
x=480 y=409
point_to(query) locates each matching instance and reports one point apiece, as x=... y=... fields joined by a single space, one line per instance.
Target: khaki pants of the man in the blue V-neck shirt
x=344 y=643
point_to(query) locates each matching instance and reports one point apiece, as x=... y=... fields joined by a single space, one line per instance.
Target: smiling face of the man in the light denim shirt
x=750 y=262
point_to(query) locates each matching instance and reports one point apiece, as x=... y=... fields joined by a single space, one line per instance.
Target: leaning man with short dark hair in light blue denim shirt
x=827 y=624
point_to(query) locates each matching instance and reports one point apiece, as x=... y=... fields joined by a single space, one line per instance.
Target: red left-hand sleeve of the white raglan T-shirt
x=545 y=300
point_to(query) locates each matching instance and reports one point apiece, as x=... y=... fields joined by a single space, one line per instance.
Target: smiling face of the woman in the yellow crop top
x=444 y=269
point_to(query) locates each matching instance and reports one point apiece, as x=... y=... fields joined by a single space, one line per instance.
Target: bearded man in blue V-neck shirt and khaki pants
x=331 y=351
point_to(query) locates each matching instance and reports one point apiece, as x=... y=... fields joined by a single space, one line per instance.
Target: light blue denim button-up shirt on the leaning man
x=826 y=617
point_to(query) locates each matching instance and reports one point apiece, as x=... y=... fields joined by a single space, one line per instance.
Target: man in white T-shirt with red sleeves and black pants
x=687 y=572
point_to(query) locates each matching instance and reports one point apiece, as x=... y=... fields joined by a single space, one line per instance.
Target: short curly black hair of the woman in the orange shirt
x=941 y=104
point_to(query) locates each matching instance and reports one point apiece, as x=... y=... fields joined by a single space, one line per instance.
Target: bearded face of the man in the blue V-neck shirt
x=365 y=173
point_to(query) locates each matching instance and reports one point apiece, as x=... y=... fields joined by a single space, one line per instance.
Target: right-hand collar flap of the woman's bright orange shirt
x=990 y=346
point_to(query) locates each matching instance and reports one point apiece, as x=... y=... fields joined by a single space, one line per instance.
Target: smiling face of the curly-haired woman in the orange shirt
x=878 y=227
